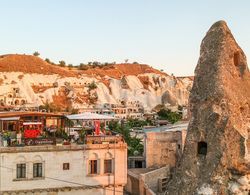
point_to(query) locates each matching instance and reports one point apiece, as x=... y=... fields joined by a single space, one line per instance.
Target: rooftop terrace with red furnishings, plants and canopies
x=39 y=128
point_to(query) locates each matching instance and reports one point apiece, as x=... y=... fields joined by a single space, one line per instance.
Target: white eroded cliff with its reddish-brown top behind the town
x=27 y=80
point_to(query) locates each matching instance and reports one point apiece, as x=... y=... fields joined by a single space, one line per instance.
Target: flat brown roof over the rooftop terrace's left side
x=23 y=113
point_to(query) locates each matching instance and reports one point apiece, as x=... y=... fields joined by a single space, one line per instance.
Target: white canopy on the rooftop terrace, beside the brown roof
x=89 y=116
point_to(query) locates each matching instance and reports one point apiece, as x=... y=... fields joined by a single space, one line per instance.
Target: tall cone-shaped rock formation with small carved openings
x=217 y=152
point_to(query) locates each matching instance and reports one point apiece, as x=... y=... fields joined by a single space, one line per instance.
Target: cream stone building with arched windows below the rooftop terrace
x=64 y=170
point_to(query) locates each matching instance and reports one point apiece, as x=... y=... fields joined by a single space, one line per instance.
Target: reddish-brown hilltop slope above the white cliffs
x=32 y=64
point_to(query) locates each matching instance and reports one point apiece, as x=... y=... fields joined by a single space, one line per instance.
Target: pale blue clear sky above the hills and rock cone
x=164 y=34
